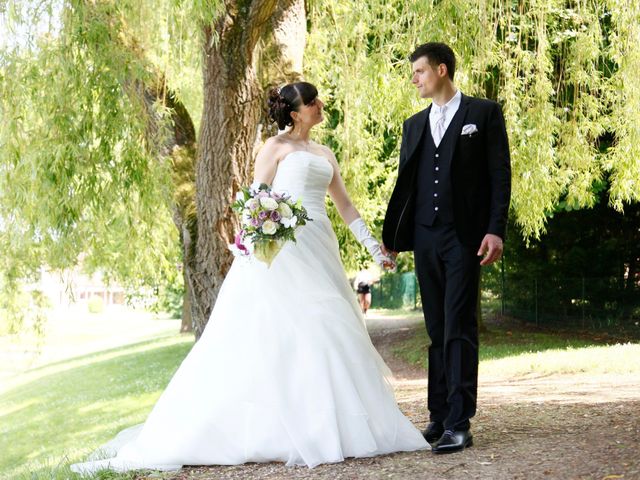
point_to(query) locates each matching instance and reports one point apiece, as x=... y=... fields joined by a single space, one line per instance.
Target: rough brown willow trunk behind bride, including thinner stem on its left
x=233 y=117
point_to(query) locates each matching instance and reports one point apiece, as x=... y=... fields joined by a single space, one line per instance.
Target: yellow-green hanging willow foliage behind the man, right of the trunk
x=564 y=72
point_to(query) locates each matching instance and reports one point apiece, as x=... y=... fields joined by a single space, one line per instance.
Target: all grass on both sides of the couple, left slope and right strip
x=57 y=413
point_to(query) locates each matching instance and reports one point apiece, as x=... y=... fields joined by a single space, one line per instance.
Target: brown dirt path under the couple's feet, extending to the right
x=534 y=427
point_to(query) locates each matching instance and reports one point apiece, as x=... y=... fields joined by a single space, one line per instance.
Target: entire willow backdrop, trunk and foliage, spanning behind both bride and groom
x=124 y=120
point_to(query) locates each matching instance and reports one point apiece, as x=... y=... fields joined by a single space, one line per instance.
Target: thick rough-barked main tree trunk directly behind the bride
x=232 y=110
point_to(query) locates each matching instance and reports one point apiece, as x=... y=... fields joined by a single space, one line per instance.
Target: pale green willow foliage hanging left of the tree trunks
x=79 y=166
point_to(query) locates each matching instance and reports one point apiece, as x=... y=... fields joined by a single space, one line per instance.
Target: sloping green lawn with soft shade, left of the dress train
x=71 y=412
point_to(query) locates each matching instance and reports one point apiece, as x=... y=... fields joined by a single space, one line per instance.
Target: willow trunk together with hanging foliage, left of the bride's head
x=99 y=156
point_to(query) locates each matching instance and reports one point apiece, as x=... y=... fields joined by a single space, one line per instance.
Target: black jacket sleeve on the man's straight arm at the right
x=499 y=163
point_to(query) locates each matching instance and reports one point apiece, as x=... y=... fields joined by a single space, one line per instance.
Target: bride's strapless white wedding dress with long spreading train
x=284 y=371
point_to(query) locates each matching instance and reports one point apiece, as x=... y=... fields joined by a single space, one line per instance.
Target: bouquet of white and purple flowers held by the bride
x=268 y=220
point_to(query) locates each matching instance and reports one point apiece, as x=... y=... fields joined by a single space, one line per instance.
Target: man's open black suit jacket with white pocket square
x=480 y=175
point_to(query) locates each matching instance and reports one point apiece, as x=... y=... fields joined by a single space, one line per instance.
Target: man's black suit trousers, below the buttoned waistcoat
x=449 y=273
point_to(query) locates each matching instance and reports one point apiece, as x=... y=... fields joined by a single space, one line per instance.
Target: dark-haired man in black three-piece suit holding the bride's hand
x=450 y=207
